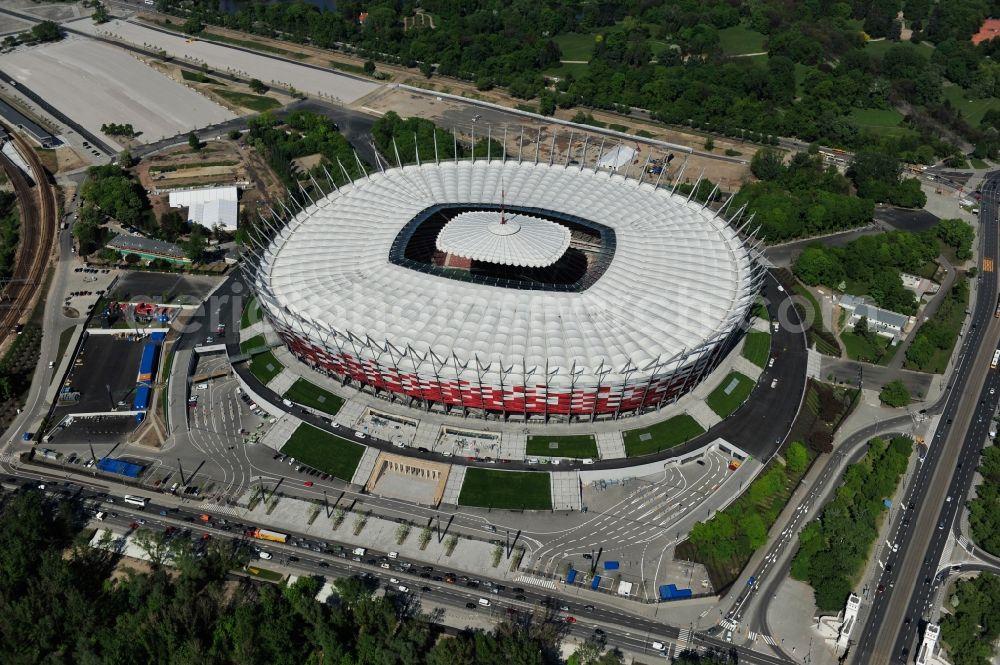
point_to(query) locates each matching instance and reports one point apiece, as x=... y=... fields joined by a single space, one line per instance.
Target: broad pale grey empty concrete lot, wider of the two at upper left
x=94 y=84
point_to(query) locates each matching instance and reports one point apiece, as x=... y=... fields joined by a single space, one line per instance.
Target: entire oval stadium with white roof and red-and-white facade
x=509 y=289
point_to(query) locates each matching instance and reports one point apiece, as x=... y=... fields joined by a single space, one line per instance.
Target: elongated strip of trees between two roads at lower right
x=834 y=547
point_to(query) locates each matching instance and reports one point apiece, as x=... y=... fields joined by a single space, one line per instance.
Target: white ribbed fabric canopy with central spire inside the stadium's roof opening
x=499 y=237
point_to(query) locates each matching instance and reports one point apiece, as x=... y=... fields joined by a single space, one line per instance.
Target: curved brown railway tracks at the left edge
x=38 y=210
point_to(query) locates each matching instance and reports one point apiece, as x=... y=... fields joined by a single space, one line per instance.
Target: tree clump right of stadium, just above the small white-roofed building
x=870 y=265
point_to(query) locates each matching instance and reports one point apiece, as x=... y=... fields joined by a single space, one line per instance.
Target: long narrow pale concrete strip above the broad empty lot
x=306 y=79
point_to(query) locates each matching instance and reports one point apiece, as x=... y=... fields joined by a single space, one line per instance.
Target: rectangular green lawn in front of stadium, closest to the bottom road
x=512 y=490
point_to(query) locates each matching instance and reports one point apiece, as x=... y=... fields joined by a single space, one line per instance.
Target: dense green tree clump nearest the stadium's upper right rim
x=800 y=199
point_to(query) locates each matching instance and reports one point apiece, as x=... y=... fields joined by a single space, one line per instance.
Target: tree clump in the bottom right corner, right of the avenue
x=970 y=630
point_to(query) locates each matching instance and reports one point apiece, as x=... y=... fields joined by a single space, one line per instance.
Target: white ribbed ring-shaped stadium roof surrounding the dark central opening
x=680 y=277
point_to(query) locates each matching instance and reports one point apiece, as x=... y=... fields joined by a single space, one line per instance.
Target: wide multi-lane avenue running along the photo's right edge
x=895 y=622
